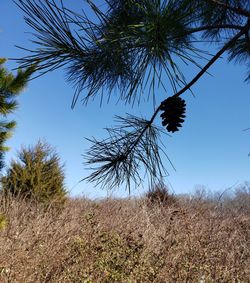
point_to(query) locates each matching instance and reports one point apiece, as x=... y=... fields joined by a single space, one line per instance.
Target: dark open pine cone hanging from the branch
x=173 y=115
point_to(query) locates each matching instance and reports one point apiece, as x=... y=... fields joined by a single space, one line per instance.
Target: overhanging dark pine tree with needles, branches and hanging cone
x=132 y=46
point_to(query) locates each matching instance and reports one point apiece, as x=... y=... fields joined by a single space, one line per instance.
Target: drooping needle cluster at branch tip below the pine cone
x=119 y=163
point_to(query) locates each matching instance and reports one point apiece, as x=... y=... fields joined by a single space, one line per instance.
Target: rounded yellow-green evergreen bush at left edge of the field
x=36 y=175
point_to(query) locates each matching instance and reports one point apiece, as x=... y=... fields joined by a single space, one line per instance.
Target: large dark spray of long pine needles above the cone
x=122 y=55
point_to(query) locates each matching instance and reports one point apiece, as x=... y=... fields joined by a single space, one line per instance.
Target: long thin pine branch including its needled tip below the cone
x=123 y=151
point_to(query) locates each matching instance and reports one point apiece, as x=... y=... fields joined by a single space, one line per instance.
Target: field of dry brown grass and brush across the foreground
x=195 y=240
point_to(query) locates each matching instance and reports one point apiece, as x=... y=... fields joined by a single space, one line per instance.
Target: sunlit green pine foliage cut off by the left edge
x=10 y=87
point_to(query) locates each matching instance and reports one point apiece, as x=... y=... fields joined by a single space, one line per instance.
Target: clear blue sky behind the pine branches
x=211 y=149
